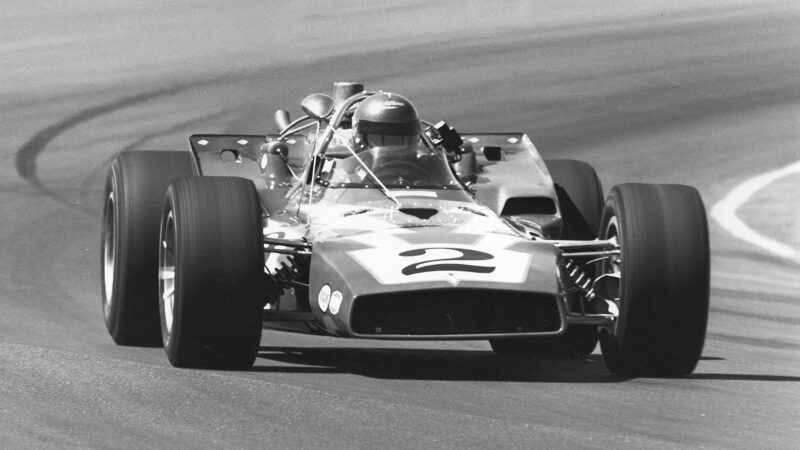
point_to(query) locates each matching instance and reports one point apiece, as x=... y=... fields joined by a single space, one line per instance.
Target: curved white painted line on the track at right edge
x=724 y=212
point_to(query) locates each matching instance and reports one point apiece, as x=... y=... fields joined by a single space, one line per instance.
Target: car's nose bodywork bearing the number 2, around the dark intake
x=430 y=261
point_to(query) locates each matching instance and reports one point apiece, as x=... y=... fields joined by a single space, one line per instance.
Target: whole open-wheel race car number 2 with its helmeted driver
x=360 y=220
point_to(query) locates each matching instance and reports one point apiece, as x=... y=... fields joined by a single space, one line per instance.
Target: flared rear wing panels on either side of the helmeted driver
x=505 y=170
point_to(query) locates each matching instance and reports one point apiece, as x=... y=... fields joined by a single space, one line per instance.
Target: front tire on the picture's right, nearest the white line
x=664 y=279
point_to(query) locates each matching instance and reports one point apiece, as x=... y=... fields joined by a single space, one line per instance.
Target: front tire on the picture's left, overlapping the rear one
x=211 y=266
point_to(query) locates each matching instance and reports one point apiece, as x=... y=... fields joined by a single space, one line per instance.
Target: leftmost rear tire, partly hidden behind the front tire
x=134 y=193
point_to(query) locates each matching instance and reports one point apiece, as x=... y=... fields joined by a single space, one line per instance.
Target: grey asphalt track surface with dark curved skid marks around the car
x=648 y=91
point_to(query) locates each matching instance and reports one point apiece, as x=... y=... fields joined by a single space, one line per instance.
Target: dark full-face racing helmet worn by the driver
x=385 y=119
